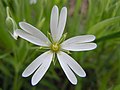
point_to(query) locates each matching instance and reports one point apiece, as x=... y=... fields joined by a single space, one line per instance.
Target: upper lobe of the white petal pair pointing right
x=79 y=39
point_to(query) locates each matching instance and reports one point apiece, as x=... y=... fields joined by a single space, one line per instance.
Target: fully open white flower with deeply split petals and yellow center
x=41 y=64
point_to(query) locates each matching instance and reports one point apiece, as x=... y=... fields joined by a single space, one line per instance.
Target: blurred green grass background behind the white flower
x=98 y=17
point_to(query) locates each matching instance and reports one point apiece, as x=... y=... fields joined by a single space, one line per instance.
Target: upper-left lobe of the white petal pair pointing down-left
x=36 y=63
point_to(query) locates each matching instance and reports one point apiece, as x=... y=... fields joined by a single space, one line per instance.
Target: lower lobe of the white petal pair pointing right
x=79 y=46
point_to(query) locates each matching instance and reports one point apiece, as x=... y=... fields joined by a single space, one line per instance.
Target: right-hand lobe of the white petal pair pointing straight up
x=62 y=23
